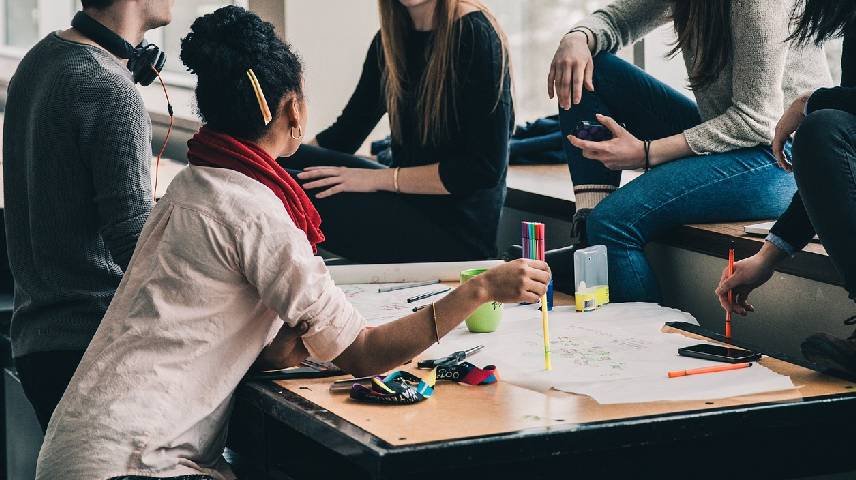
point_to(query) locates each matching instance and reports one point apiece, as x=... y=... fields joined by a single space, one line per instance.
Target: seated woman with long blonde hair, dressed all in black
x=440 y=69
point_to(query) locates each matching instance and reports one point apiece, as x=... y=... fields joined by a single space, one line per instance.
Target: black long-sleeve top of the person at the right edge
x=794 y=226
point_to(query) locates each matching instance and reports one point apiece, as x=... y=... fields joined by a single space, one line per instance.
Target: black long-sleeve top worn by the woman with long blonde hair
x=473 y=161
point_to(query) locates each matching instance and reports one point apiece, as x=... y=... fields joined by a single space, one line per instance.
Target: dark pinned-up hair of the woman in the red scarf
x=219 y=49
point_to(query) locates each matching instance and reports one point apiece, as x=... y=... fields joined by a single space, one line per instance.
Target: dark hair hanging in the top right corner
x=820 y=20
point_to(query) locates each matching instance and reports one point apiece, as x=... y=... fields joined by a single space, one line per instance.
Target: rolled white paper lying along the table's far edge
x=405 y=272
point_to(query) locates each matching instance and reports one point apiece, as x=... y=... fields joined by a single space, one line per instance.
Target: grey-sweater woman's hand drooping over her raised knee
x=571 y=69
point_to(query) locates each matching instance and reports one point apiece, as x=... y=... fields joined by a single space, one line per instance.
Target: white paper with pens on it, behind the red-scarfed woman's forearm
x=382 y=307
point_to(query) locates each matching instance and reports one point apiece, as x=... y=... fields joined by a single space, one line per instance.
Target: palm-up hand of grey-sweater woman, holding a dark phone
x=622 y=152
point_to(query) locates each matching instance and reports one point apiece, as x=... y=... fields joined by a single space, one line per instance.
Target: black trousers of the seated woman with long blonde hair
x=379 y=227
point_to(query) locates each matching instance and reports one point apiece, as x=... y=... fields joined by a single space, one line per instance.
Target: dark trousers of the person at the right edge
x=824 y=159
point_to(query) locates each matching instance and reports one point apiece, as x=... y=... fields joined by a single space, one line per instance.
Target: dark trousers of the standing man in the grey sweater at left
x=44 y=376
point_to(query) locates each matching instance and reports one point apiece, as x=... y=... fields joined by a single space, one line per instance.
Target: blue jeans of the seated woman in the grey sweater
x=743 y=184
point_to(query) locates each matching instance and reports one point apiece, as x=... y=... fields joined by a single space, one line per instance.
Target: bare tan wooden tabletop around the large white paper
x=471 y=411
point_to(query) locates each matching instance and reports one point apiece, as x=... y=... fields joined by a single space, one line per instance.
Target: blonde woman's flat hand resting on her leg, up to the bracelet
x=343 y=179
